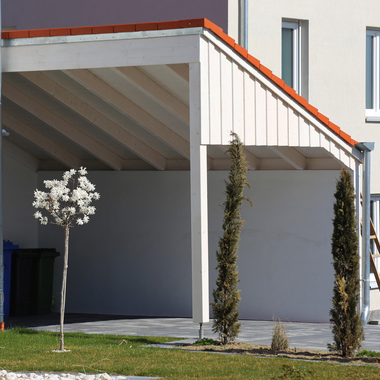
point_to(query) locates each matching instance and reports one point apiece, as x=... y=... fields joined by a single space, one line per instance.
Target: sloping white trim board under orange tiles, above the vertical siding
x=352 y=151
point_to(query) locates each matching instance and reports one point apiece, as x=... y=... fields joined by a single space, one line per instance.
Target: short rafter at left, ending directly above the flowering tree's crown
x=45 y=144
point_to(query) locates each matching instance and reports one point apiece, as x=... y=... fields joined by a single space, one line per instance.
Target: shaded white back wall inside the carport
x=134 y=256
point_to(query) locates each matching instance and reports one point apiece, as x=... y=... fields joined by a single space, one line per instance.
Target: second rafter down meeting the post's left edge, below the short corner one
x=154 y=91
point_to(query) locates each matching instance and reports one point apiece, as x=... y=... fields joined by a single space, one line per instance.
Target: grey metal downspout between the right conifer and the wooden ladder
x=366 y=148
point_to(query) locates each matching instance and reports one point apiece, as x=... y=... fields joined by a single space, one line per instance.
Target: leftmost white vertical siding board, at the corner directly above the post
x=204 y=104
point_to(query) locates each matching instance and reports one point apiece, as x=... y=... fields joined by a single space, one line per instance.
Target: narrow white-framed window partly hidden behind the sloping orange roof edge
x=294 y=55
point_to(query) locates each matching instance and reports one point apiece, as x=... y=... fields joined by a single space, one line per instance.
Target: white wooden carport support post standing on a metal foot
x=199 y=210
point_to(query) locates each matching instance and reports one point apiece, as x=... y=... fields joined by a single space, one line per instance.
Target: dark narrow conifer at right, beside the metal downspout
x=347 y=328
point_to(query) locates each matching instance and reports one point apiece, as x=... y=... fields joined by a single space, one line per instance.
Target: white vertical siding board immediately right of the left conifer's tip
x=249 y=109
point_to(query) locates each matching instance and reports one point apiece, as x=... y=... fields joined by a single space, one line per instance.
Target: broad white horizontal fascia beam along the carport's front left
x=92 y=51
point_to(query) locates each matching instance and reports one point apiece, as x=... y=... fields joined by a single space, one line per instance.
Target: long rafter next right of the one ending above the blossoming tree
x=62 y=126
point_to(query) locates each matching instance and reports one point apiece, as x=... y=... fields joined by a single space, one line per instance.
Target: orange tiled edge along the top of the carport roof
x=179 y=24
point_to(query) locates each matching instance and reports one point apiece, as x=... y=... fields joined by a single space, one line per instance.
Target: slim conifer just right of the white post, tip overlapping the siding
x=226 y=295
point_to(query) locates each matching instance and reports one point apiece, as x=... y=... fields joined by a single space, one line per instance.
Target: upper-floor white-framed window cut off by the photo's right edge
x=372 y=75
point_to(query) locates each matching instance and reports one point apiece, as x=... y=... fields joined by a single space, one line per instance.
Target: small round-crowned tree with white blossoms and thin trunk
x=67 y=202
